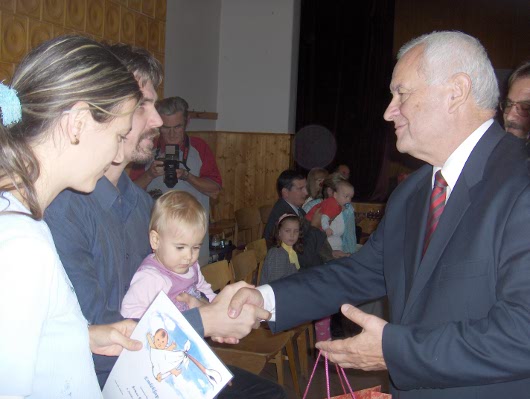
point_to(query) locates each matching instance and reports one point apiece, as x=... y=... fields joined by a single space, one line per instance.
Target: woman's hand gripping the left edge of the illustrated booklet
x=110 y=339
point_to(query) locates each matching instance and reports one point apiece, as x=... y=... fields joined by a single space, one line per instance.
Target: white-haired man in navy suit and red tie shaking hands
x=452 y=252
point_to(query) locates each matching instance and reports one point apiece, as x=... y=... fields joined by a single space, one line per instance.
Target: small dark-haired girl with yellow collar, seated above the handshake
x=282 y=259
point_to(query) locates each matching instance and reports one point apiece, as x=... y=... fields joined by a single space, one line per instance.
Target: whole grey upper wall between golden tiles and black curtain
x=238 y=58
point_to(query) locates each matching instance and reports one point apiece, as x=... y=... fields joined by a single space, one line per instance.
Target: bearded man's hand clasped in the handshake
x=222 y=328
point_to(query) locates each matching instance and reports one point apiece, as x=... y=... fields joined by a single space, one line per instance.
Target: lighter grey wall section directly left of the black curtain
x=256 y=59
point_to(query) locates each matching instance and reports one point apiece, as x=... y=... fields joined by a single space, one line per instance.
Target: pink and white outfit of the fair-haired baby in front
x=152 y=277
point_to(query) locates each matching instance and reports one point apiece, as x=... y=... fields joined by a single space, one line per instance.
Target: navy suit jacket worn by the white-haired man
x=460 y=317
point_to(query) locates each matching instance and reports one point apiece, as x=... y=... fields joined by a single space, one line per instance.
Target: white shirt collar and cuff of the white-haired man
x=451 y=172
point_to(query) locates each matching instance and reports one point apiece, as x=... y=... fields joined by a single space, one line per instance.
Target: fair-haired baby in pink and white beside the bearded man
x=176 y=231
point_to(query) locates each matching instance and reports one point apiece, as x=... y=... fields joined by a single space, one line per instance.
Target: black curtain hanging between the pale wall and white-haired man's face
x=345 y=67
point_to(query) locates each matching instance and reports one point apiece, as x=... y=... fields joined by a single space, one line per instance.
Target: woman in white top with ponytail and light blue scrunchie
x=64 y=119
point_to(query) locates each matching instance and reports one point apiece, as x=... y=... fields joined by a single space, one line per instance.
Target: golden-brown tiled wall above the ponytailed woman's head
x=26 y=23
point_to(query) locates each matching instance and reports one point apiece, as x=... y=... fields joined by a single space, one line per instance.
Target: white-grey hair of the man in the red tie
x=448 y=53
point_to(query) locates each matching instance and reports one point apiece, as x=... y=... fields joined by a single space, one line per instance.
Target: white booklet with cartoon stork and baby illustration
x=174 y=362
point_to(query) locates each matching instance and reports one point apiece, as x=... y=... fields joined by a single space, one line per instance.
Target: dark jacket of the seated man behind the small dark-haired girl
x=316 y=247
